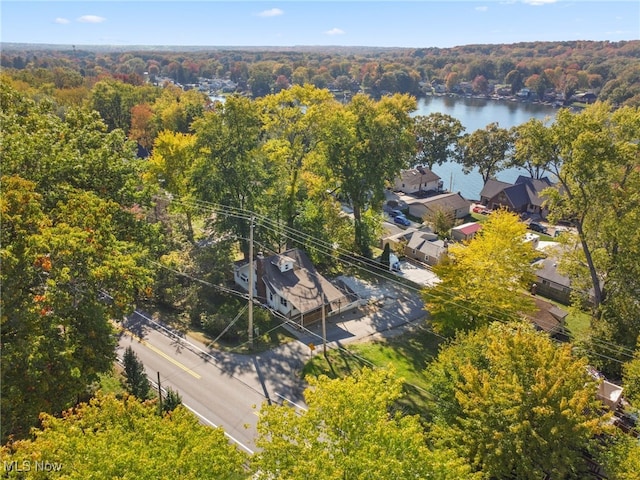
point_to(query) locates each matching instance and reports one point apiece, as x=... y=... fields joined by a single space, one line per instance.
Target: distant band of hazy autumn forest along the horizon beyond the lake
x=610 y=69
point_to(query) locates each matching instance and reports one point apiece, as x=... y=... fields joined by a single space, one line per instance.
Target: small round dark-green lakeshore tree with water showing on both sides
x=485 y=149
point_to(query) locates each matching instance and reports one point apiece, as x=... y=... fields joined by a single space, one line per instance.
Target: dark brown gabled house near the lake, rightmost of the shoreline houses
x=523 y=196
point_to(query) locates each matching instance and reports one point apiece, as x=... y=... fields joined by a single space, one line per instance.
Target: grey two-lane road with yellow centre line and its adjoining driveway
x=227 y=390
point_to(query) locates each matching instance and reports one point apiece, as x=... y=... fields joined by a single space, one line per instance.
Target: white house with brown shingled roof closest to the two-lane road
x=289 y=284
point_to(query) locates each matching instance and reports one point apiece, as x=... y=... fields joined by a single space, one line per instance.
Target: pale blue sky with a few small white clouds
x=425 y=23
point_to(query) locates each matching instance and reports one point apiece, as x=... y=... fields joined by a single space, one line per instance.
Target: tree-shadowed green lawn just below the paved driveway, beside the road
x=408 y=354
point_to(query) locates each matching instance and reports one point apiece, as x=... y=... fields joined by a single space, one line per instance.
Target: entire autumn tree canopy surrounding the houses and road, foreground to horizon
x=117 y=179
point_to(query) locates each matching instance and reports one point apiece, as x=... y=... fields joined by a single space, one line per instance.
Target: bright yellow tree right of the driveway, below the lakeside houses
x=483 y=280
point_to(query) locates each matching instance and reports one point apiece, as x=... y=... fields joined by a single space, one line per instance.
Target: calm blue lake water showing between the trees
x=476 y=113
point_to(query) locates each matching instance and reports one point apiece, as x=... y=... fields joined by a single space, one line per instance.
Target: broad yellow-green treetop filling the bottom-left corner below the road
x=113 y=438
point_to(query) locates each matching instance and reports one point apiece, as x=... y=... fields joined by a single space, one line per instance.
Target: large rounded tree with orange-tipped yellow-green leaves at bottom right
x=514 y=403
